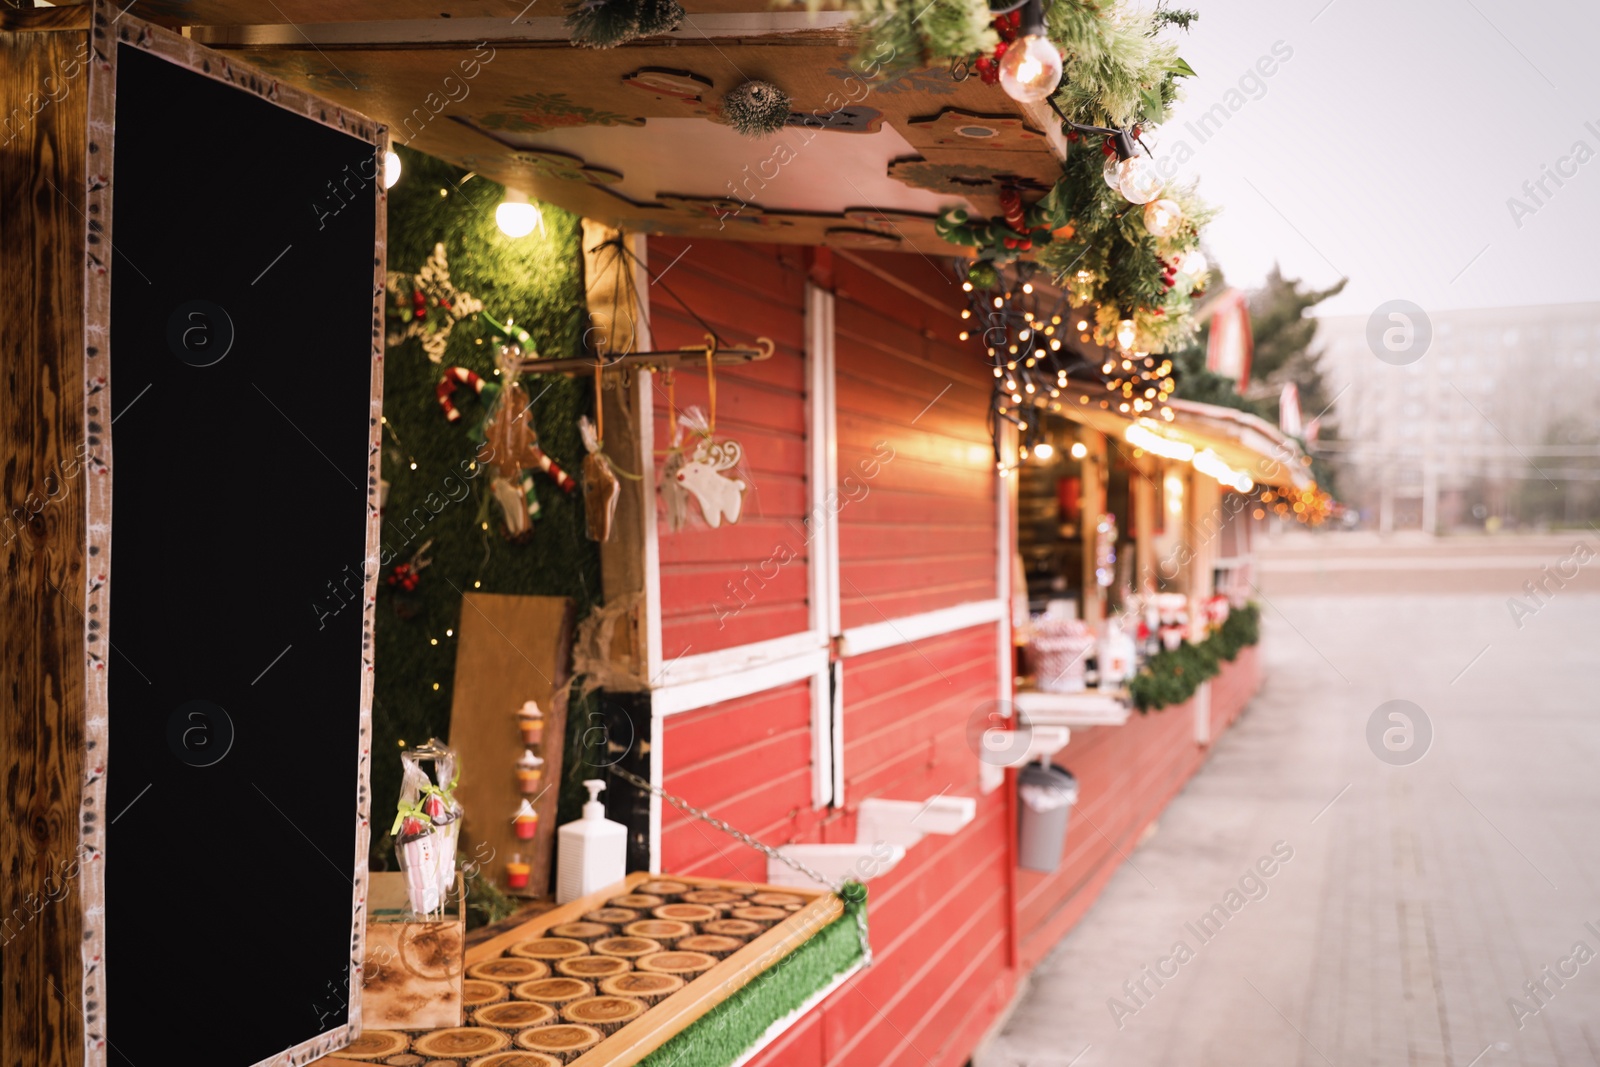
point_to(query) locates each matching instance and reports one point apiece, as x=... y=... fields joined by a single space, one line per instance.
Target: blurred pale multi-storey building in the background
x=1492 y=428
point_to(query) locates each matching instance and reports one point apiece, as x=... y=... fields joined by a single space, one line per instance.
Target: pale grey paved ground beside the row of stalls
x=1420 y=898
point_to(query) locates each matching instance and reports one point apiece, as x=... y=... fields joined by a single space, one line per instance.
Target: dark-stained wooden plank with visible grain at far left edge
x=42 y=482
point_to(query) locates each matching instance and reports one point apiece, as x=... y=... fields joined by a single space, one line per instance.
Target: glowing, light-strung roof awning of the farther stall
x=1239 y=439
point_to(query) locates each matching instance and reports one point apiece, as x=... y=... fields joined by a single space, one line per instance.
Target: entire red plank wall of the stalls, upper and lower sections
x=956 y=924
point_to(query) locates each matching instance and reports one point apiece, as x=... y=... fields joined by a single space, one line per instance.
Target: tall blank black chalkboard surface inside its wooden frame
x=241 y=350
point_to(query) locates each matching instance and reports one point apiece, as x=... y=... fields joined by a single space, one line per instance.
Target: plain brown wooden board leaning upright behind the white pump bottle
x=511 y=650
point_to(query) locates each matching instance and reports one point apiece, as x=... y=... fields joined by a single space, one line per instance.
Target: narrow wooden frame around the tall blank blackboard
x=110 y=30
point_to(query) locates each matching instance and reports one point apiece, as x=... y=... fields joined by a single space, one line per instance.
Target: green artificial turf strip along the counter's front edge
x=727 y=1031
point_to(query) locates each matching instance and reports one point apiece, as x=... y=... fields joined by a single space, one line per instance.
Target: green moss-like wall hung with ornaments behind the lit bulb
x=538 y=281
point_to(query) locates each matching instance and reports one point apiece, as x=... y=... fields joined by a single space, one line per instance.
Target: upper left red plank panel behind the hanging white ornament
x=745 y=292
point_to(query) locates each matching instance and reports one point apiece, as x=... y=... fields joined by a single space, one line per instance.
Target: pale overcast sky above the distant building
x=1386 y=146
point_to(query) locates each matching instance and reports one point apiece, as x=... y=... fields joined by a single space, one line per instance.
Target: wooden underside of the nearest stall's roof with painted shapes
x=634 y=137
